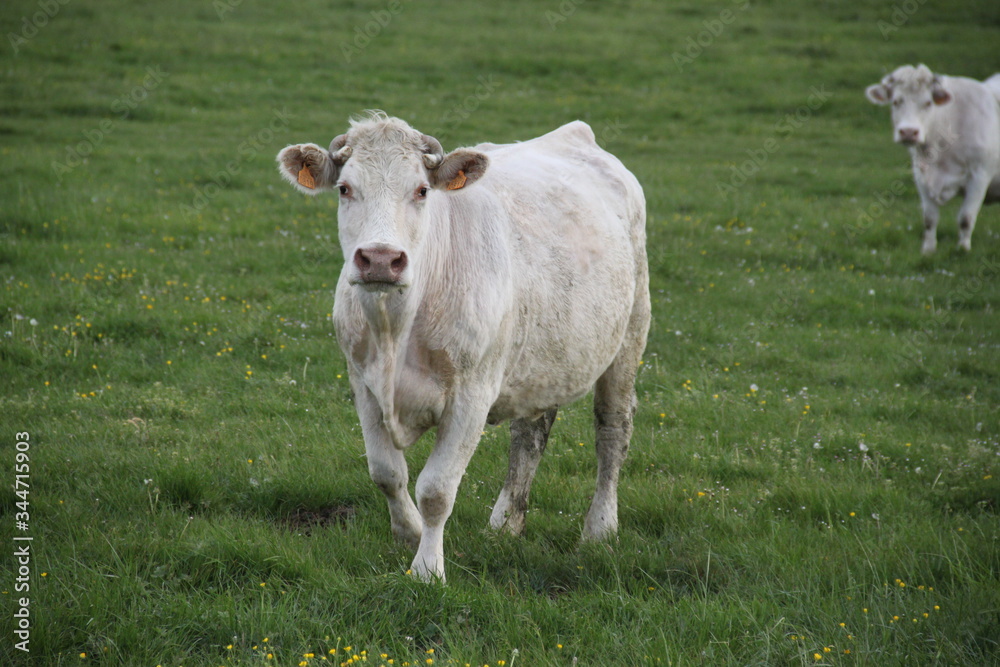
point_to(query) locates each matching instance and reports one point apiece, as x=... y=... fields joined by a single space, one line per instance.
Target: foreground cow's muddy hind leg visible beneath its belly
x=527 y=443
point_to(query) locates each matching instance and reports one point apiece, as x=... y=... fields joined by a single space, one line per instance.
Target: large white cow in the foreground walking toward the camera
x=491 y=283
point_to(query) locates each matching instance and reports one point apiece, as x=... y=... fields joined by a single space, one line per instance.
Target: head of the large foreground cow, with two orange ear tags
x=388 y=175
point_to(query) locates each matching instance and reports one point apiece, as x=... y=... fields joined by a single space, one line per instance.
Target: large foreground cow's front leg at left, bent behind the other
x=387 y=467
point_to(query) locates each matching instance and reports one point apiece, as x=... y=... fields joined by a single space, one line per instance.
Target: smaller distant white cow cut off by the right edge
x=952 y=127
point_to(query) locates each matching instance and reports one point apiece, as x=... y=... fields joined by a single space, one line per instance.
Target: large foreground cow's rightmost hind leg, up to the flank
x=614 y=408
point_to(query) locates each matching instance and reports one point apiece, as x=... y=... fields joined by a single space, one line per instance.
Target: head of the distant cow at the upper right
x=914 y=93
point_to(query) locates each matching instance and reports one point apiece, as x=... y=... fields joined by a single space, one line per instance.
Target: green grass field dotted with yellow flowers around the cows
x=815 y=473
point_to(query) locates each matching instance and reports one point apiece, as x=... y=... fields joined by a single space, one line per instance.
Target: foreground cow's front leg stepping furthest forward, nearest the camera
x=457 y=438
